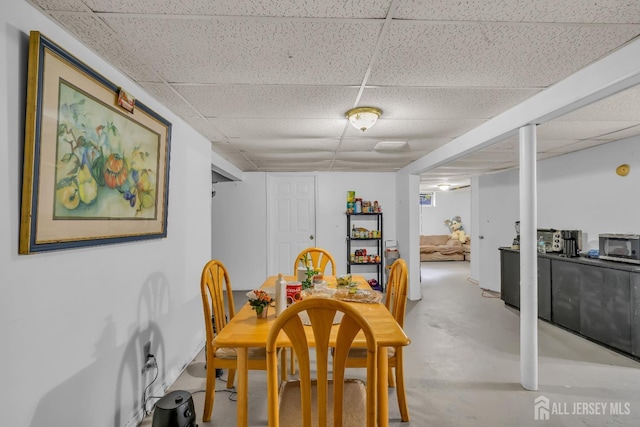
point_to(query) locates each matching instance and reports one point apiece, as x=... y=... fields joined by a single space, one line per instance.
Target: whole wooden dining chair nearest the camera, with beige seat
x=330 y=401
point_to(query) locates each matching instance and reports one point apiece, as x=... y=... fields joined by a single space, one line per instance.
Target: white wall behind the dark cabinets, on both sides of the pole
x=576 y=191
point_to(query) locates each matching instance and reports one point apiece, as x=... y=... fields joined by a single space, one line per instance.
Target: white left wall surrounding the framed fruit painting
x=73 y=322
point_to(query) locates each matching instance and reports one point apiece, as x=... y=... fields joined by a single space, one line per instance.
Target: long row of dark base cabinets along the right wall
x=597 y=299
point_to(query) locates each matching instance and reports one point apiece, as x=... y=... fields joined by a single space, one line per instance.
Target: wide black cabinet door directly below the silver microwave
x=605 y=306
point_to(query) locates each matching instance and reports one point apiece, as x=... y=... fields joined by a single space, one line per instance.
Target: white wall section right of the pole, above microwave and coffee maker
x=582 y=191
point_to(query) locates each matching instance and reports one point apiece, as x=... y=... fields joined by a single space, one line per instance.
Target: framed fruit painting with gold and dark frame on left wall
x=95 y=171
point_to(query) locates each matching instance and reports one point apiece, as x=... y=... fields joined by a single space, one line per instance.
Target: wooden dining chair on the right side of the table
x=396 y=302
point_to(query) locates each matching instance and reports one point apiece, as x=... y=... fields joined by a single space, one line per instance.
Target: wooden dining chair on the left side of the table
x=214 y=283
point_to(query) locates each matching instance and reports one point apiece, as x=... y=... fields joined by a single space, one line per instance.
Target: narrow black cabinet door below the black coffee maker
x=565 y=294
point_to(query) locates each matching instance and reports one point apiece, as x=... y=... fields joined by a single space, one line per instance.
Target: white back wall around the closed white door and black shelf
x=239 y=219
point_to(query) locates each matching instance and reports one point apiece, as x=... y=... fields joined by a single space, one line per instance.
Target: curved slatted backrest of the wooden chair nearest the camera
x=321 y=313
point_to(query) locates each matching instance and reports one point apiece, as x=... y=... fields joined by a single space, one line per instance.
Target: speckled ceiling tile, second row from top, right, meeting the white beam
x=491 y=54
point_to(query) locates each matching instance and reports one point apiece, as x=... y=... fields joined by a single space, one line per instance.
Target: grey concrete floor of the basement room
x=463 y=367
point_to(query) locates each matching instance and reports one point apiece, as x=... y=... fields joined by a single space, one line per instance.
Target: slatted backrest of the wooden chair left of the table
x=213 y=283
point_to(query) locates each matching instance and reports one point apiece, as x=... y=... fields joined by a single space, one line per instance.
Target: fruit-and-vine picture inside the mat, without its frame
x=106 y=164
